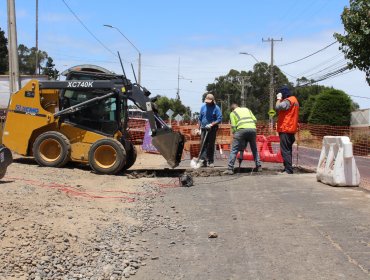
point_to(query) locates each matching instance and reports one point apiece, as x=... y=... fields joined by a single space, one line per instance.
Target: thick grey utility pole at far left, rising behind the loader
x=14 y=84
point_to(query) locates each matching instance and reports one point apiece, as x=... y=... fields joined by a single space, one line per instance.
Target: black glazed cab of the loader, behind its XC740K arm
x=105 y=116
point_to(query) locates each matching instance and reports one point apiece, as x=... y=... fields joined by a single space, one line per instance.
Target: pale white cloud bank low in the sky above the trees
x=200 y=66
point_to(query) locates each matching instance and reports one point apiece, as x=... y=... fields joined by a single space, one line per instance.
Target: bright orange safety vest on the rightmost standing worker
x=288 y=119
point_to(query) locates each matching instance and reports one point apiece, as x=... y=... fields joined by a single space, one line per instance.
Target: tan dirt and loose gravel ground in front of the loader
x=70 y=223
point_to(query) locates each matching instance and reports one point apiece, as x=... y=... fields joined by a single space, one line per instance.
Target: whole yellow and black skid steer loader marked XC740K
x=84 y=119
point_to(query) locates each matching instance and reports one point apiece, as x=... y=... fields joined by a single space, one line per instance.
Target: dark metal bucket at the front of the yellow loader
x=170 y=145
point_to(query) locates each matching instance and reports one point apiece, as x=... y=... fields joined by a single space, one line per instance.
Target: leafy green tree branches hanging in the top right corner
x=355 y=44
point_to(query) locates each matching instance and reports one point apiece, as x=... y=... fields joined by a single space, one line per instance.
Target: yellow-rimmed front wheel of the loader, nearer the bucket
x=107 y=156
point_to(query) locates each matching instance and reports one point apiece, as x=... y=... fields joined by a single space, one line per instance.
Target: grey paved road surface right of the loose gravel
x=269 y=227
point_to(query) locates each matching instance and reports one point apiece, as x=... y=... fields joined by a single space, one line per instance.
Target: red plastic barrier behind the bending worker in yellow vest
x=265 y=150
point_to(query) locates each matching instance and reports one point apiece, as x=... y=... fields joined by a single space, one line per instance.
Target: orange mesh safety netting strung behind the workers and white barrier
x=306 y=151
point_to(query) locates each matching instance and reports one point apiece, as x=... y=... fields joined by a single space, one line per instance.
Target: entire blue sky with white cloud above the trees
x=186 y=45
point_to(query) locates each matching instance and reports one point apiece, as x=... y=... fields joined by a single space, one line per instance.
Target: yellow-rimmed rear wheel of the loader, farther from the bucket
x=51 y=149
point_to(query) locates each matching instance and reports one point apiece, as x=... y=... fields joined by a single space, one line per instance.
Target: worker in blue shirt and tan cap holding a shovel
x=209 y=118
